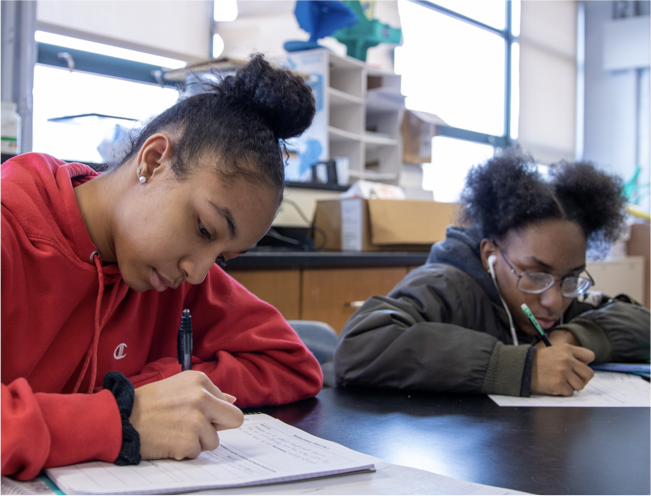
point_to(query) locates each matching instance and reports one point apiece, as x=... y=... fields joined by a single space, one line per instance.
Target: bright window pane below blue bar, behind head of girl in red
x=60 y=93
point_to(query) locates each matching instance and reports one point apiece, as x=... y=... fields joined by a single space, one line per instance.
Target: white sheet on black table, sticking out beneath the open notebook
x=388 y=480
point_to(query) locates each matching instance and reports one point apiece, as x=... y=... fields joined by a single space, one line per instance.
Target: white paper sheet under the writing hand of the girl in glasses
x=608 y=389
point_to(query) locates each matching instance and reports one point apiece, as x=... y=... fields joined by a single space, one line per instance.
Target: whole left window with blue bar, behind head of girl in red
x=103 y=86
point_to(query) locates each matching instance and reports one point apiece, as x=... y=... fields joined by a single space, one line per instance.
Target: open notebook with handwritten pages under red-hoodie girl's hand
x=263 y=451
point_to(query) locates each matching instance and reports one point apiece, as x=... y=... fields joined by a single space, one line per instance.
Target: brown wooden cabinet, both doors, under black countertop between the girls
x=328 y=295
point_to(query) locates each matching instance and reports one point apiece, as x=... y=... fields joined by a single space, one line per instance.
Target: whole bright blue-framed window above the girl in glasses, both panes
x=459 y=60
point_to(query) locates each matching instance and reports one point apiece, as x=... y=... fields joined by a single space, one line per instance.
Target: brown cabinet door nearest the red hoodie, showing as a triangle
x=280 y=288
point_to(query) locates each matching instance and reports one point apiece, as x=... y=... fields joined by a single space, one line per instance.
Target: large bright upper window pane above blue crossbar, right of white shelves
x=452 y=69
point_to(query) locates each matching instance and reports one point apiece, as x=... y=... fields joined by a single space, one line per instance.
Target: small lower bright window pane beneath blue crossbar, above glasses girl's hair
x=451 y=161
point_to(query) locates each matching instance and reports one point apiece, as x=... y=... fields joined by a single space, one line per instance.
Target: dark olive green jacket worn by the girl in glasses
x=444 y=328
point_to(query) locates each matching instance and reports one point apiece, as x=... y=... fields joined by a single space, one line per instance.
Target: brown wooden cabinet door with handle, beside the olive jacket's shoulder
x=332 y=295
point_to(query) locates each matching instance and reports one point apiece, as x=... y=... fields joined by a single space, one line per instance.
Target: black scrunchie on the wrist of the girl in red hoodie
x=122 y=389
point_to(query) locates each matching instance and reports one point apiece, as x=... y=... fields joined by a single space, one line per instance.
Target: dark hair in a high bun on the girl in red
x=242 y=120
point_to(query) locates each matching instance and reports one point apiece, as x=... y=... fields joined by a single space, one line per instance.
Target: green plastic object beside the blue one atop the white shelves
x=366 y=34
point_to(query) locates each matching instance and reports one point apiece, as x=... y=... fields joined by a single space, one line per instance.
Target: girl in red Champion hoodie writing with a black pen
x=95 y=270
